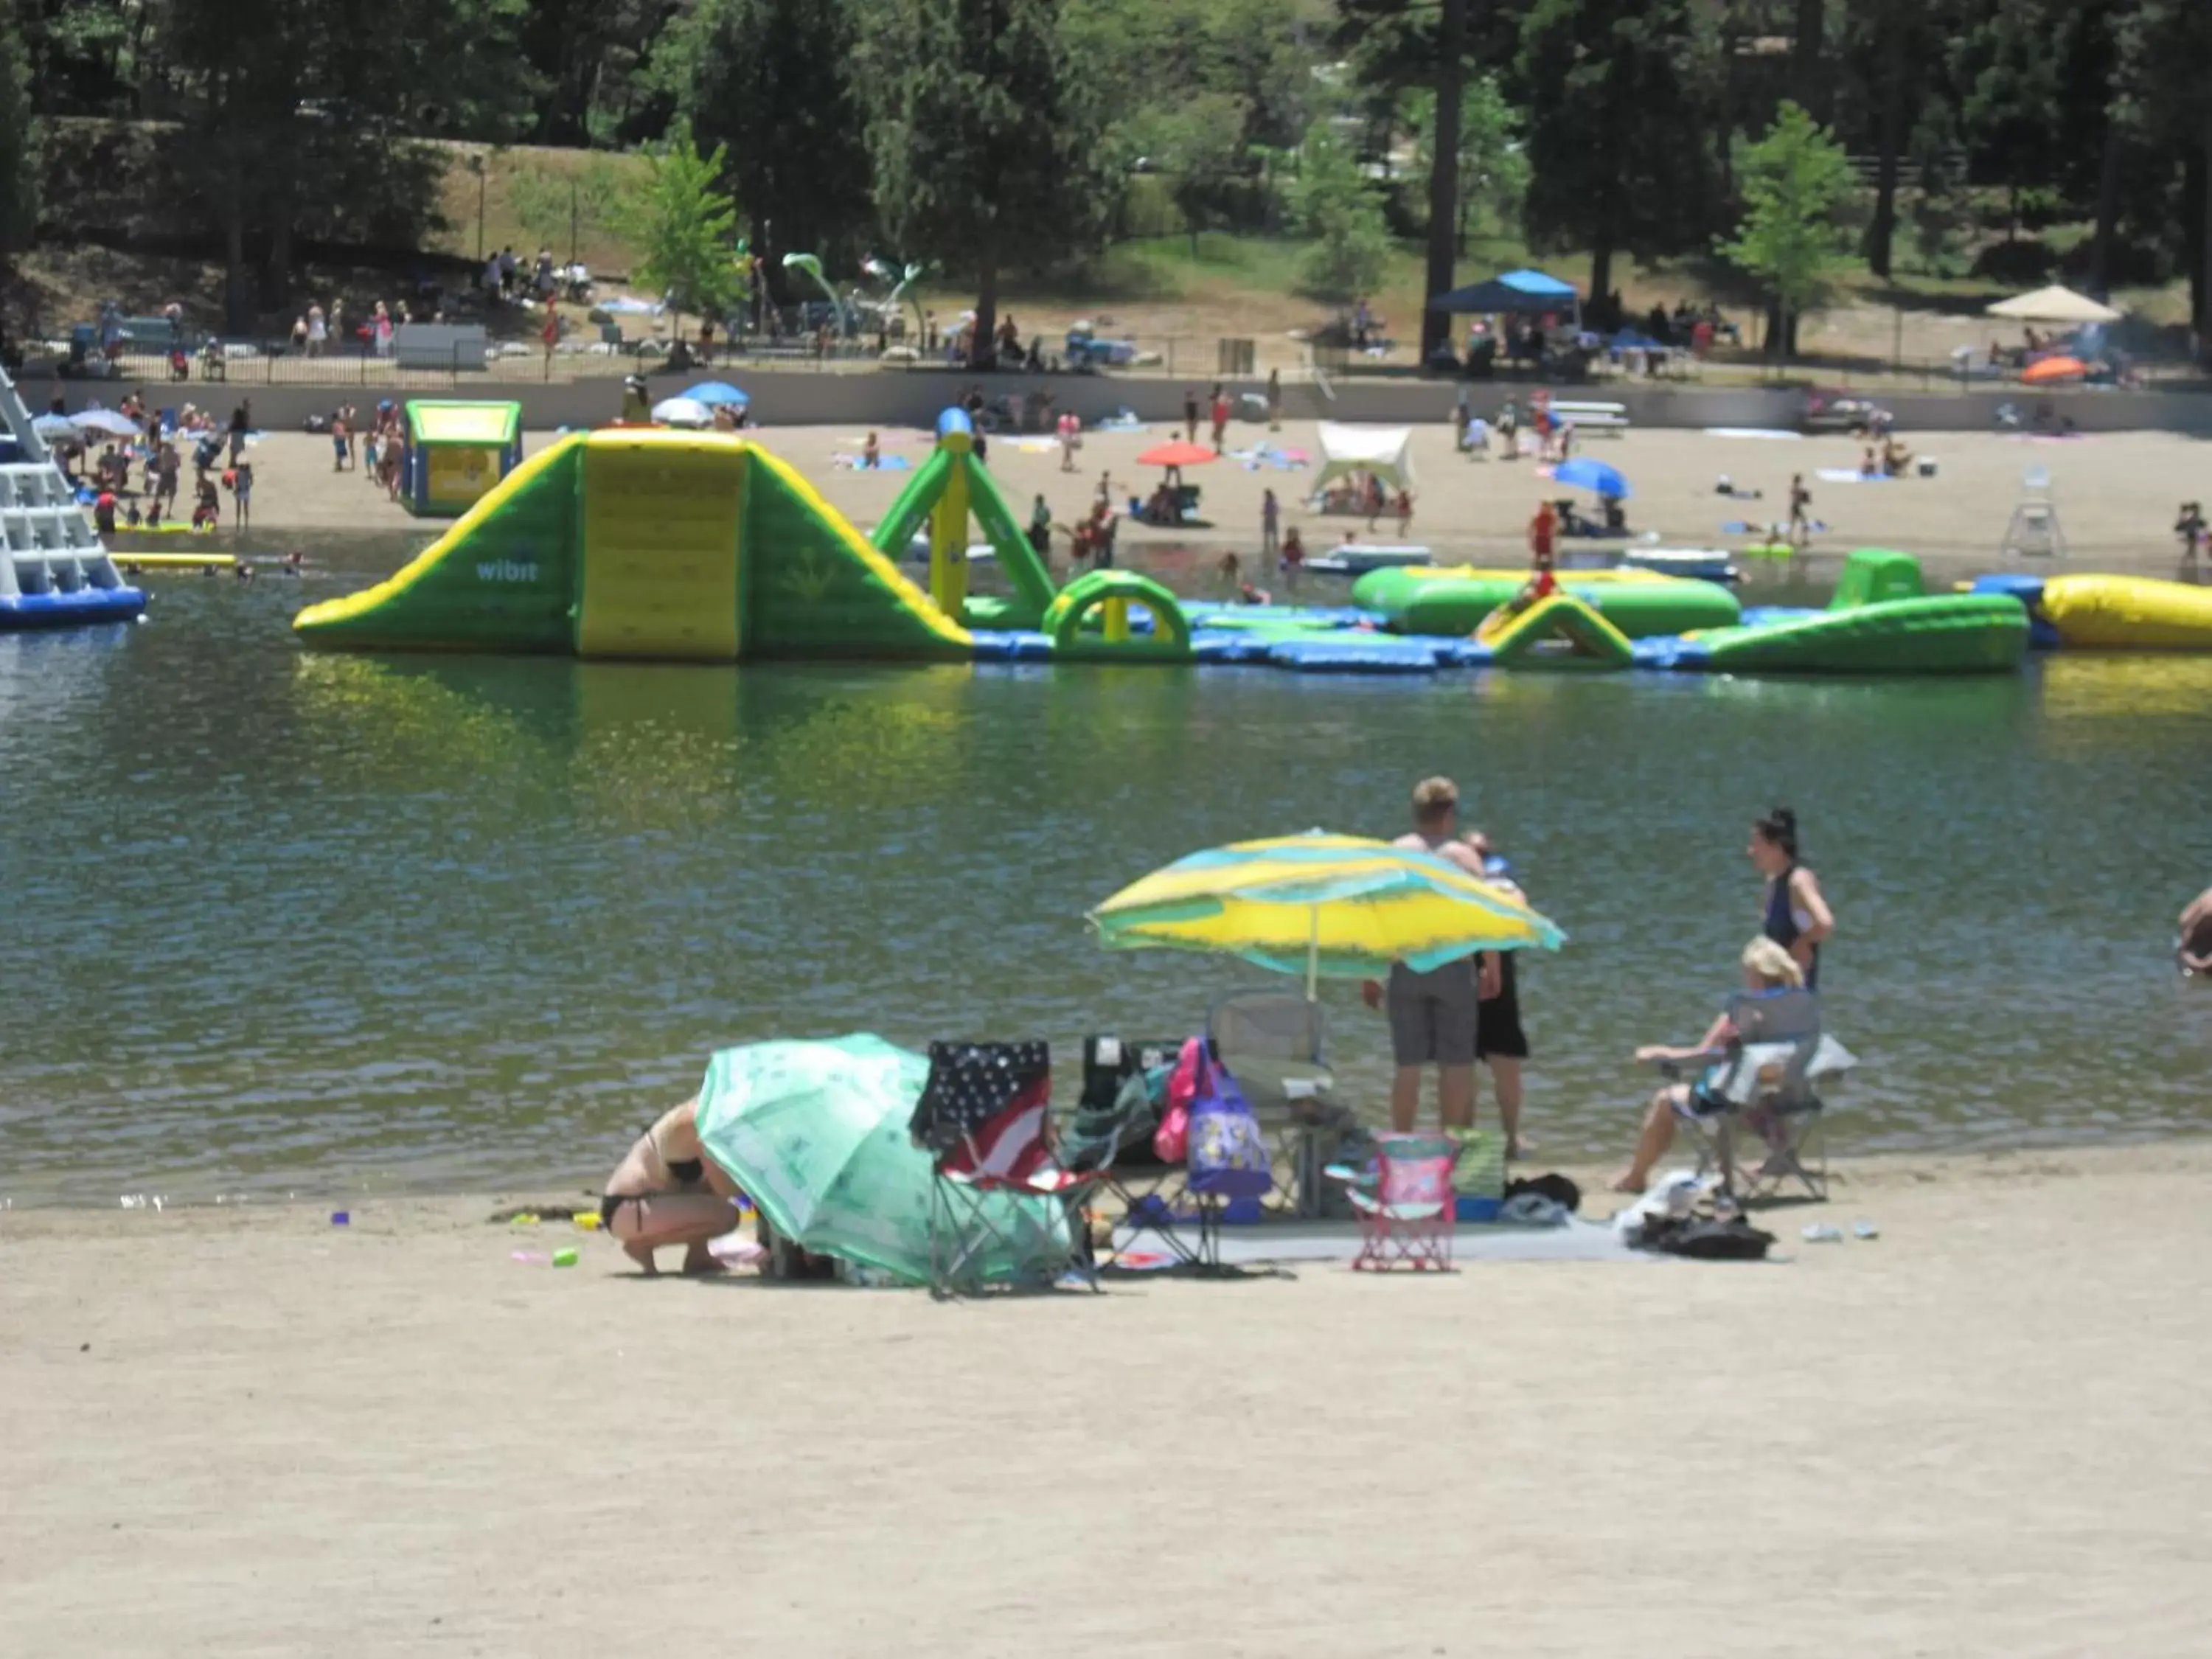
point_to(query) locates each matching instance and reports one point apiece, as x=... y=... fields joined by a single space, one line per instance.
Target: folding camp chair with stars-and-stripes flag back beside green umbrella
x=985 y=1123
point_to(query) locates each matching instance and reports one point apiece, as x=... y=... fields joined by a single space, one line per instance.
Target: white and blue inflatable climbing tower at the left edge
x=54 y=572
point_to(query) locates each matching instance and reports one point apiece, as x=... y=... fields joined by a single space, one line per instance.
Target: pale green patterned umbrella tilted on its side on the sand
x=817 y=1138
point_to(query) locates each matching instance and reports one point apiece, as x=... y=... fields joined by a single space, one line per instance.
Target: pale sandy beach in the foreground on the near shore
x=1981 y=1434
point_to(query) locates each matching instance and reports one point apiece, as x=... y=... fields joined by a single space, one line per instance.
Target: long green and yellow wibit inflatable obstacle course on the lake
x=645 y=543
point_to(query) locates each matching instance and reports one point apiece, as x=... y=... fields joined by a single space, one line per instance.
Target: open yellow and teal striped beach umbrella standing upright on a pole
x=1322 y=904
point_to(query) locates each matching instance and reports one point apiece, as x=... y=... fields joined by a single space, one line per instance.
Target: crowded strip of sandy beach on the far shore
x=2116 y=494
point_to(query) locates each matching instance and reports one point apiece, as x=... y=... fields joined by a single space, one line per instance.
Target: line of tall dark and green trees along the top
x=997 y=138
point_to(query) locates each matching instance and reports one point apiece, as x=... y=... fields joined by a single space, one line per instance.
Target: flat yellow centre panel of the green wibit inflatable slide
x=662 y=517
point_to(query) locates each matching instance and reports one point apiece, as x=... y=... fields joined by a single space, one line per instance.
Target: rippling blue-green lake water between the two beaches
x=309 y=924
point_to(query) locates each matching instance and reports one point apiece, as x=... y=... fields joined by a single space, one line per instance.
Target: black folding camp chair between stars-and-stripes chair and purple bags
x=1120 y=1114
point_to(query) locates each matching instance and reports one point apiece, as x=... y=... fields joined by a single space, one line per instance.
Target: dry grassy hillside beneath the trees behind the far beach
x=1173 y=293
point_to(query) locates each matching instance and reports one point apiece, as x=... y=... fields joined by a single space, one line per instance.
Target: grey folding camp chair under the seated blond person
x=1766 y=1083
